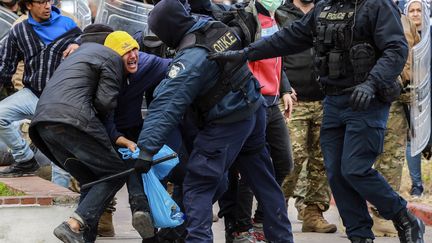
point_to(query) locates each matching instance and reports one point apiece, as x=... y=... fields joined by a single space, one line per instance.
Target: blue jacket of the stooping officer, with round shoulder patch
x=190 y=75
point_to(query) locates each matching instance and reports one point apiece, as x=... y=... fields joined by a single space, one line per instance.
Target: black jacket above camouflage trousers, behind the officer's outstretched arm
x=299 y=67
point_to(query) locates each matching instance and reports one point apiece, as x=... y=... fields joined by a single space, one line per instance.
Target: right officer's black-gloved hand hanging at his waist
x=362 y=95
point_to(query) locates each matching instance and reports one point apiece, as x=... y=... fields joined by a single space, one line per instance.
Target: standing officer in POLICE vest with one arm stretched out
x=360 y=50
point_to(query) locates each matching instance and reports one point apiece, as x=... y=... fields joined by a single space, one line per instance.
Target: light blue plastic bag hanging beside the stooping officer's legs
x=166 y=213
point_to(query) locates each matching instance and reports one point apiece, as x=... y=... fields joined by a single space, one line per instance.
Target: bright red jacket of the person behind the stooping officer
x=267 y=71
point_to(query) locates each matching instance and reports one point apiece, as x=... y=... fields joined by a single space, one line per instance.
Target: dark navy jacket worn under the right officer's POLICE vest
x=375 y=20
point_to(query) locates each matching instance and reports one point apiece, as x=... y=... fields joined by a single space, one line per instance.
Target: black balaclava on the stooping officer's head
x=170 y=21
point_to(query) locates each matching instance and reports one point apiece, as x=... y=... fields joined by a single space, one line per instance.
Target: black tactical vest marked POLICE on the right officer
x=338 y=53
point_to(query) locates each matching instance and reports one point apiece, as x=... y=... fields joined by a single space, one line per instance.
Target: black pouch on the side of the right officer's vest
x=362 y=58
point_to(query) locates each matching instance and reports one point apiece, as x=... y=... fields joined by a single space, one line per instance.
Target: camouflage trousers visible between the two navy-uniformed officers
x=304 y=128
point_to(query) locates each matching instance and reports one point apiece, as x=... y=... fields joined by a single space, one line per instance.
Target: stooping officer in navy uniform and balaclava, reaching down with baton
x=229 y=111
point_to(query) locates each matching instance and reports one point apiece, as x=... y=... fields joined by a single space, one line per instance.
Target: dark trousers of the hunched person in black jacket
x=87 y=160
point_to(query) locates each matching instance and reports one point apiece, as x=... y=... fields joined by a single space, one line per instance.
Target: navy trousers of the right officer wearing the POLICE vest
x=350 y=142
